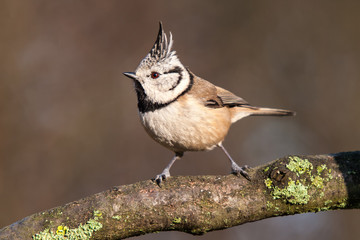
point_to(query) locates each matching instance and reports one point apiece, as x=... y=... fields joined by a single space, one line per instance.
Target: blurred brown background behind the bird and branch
x=68 y=120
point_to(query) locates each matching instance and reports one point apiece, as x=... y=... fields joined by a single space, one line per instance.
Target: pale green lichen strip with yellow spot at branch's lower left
x=84 y=231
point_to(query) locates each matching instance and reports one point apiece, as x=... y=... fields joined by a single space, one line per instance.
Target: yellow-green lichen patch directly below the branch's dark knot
x=294 y=193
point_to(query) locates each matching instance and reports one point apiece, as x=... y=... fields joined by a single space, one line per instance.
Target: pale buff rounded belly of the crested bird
x=187 y=126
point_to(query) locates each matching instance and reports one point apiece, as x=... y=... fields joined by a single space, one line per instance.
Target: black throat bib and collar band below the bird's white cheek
x=145 y=105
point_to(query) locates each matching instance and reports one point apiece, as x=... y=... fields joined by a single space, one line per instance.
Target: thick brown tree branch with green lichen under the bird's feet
x=198 y=204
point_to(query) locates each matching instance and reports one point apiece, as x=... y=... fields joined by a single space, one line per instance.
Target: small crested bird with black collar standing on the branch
x=184 y=112
